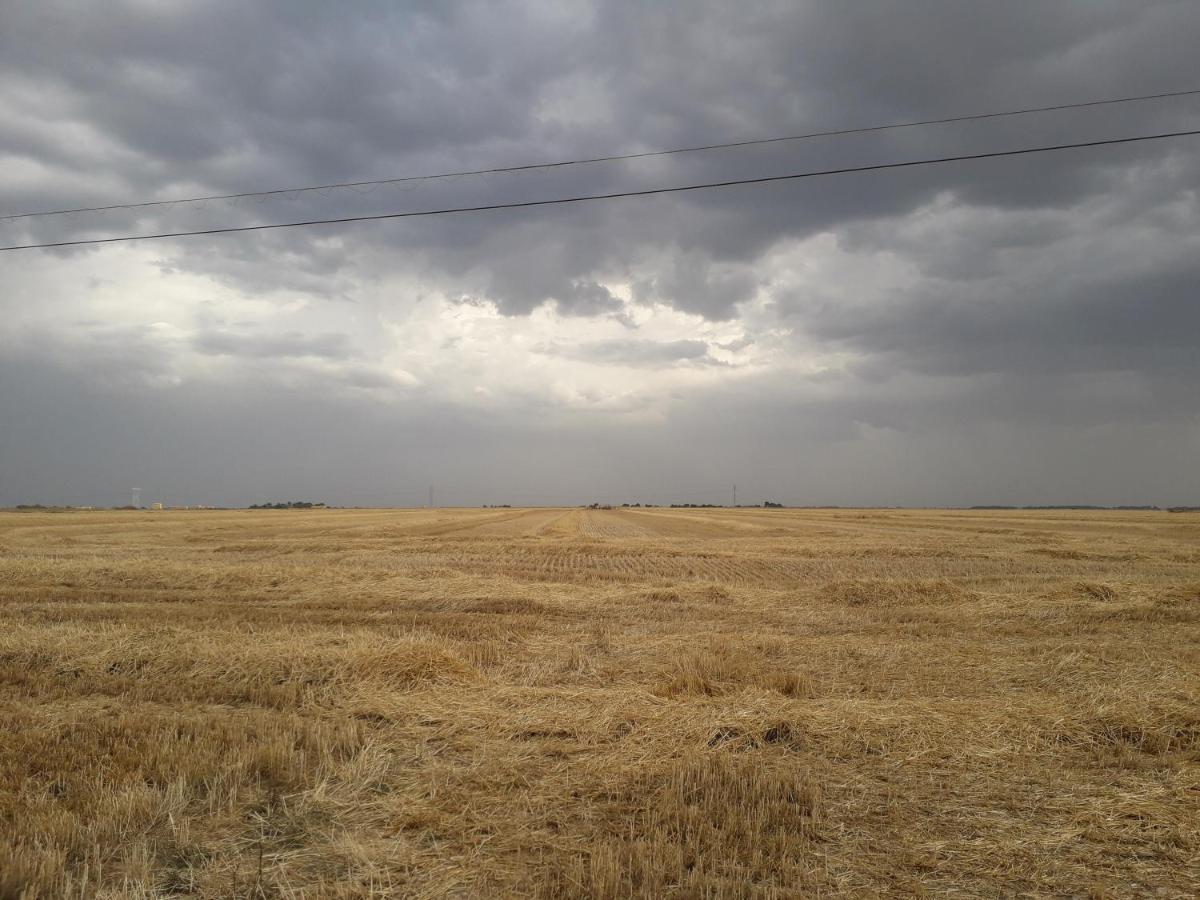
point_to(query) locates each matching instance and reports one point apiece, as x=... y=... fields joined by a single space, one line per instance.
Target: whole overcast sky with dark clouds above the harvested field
x=1006 y=332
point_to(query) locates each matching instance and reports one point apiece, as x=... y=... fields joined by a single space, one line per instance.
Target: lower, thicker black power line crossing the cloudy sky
x=646 y=193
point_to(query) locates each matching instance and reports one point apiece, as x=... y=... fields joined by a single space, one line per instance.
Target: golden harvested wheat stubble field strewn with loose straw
x=599 y=704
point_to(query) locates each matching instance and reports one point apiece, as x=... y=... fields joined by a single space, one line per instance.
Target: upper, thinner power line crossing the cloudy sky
x=563 y=164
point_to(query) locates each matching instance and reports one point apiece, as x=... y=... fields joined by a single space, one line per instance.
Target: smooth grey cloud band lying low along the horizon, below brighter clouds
x=807 y=445
